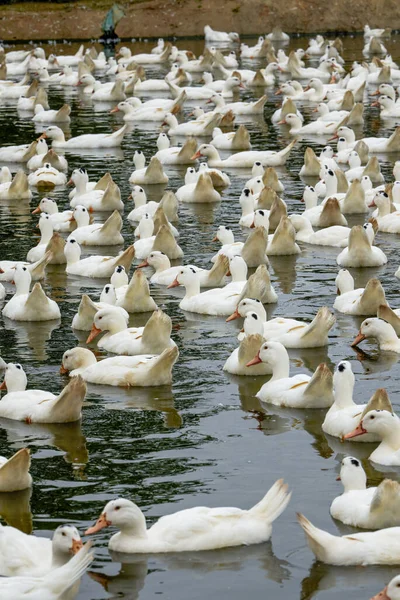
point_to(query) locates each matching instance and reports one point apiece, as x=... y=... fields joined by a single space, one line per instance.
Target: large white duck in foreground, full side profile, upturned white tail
x=215 y=527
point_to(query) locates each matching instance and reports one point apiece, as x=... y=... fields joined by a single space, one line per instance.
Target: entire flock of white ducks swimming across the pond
x=145 y=356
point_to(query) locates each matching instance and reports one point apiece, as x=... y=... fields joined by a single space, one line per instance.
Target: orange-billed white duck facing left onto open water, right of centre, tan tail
x=300 y=391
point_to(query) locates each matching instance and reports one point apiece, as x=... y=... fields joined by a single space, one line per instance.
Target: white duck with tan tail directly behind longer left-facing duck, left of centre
x=153 y=338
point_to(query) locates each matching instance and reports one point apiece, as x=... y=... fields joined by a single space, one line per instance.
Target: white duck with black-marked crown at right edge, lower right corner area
x=366 y=508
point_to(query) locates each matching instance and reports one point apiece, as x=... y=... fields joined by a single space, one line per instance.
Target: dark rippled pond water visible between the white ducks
x=197 y=442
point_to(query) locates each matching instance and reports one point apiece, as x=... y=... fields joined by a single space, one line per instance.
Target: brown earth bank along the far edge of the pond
x=150 y=19
